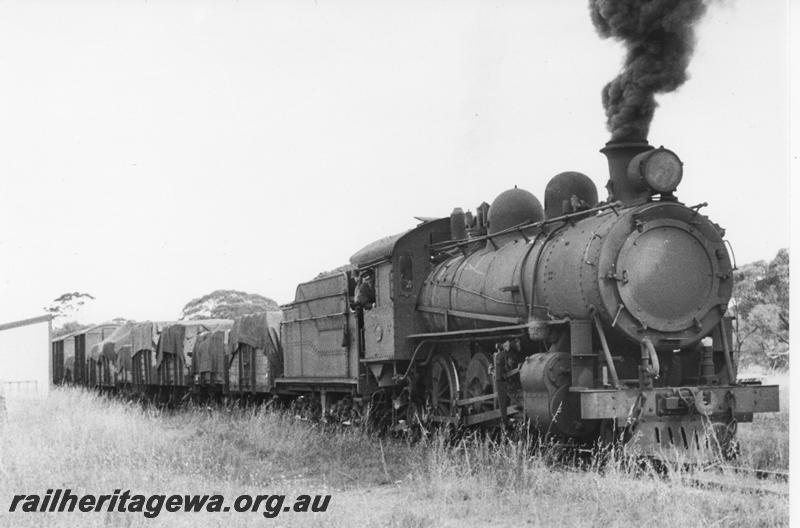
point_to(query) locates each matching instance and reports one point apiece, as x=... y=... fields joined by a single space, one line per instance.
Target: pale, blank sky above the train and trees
x=151 y=152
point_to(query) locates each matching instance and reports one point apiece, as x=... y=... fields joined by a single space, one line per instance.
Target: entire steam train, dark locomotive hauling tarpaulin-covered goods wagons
x=590 y=320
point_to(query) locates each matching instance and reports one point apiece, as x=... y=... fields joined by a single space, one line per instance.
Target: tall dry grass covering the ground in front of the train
x=90 y=444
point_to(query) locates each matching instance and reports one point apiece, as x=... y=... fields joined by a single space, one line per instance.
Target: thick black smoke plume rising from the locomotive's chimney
x=659 y=36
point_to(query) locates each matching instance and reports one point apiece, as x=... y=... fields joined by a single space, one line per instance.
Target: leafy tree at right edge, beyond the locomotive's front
x=761 y=305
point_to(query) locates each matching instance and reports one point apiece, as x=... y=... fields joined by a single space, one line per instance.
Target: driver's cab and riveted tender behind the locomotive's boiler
x=346 y=331
